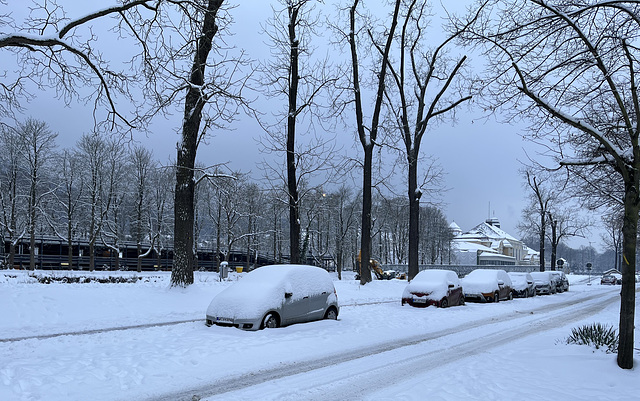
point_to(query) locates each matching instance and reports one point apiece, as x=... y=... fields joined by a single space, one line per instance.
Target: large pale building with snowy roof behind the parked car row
x=488 y=244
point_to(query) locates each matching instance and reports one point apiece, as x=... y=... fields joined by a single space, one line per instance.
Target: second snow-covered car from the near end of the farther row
x=487 y=285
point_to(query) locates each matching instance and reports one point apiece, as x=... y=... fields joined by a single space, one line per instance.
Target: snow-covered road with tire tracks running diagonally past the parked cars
x=386 y=365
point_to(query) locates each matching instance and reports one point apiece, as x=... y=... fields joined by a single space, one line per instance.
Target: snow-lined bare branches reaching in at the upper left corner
x=55 y=51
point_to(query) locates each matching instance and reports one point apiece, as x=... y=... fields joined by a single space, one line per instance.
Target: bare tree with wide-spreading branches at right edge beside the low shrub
x=576 y=65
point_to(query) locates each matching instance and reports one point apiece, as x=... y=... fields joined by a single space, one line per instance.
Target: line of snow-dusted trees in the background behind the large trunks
x=106 y=192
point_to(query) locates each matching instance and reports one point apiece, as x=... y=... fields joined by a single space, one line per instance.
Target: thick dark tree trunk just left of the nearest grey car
x=183 y=256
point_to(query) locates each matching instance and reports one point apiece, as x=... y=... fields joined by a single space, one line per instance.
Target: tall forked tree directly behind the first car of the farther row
x=423 y=95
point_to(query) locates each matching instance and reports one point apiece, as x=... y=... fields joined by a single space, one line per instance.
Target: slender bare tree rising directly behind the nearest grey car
x=303 y=81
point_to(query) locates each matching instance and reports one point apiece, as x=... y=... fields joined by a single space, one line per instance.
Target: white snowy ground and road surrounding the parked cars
x=377 y=350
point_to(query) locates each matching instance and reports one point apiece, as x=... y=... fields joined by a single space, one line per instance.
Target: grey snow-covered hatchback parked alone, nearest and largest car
x=274 y=296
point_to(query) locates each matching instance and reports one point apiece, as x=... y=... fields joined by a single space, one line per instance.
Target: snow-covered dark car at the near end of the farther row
x=434 y=287
